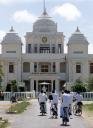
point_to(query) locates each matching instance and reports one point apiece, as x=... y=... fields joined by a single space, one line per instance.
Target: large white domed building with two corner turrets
x=44 y=60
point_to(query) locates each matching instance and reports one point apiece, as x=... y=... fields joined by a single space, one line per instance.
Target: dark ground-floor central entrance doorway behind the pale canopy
x=46 y=86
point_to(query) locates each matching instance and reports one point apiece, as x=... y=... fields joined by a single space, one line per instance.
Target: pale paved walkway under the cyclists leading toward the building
x=31 y=119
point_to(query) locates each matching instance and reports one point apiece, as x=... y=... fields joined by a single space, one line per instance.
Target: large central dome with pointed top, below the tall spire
x=44 y=24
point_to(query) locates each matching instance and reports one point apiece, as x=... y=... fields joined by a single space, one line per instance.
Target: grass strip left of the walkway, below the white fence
x=18 y=107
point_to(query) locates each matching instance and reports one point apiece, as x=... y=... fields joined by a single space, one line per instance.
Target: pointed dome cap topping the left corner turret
x=11 y=37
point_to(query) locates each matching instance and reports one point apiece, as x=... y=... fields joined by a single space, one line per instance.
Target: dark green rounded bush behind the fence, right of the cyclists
x=78 y=86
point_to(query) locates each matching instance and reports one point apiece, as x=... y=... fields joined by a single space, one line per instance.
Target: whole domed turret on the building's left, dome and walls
x=11 y=44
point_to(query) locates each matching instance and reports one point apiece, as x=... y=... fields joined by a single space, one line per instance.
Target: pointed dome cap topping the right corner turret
x=77 y=37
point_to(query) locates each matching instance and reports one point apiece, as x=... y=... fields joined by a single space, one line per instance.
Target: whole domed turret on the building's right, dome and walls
x=77 y=43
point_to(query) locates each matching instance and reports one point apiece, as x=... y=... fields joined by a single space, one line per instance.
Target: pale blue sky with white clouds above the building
x=68 y=14
